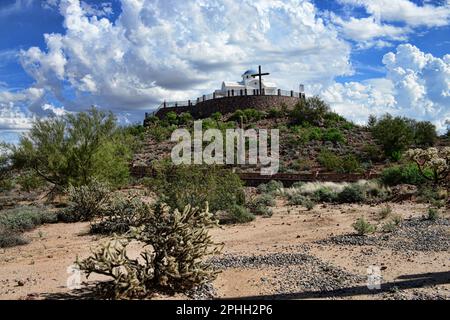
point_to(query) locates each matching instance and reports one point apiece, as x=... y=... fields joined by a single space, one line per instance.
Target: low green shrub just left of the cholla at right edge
x=404 y=174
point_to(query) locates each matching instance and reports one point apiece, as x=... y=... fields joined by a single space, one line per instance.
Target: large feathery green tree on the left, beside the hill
x=74 y=149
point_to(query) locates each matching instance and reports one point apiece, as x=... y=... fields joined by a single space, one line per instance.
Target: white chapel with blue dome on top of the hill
x=250 y=82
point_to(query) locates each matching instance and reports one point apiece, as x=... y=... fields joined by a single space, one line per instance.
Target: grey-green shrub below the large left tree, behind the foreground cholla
x=86 y=202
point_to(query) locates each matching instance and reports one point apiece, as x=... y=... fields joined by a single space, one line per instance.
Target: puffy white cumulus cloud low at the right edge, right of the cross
x=417 y=85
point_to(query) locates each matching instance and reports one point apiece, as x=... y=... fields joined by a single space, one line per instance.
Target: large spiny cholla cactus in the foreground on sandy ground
x=172 y=260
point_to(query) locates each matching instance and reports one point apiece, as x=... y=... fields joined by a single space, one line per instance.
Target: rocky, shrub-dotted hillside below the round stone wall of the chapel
x=312 y=138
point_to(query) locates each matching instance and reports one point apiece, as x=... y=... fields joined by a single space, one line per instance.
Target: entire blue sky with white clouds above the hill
x=362 y=56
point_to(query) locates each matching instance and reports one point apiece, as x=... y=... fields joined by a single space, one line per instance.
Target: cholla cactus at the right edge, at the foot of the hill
x=434 y=160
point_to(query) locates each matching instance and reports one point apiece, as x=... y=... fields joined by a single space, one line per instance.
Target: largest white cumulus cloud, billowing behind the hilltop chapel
x=157 y=50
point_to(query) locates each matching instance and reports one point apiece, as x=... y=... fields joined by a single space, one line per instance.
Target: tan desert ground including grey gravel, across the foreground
x=291 y=255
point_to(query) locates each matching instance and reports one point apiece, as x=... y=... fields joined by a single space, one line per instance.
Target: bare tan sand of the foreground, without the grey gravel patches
x=39 y=269
